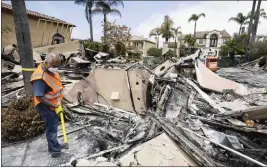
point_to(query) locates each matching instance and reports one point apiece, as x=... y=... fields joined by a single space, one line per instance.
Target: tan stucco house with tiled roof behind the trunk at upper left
x=45 y=30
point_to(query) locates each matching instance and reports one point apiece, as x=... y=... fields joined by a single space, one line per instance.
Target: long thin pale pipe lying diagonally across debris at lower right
x=226 y=148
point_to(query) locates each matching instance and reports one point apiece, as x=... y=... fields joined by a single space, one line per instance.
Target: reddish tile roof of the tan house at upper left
x=36 y=14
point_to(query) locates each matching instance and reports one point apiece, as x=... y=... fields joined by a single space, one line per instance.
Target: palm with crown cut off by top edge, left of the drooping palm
x=88 y=13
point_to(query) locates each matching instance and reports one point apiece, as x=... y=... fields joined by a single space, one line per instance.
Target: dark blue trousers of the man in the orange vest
x=50 y=119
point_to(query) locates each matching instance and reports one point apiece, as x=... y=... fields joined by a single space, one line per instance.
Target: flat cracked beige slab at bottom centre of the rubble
x=160 y=151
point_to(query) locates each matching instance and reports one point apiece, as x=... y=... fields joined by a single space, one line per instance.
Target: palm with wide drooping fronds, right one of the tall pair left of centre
x=104 y=7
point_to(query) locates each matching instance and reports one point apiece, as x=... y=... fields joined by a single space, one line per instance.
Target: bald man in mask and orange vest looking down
x=48 y=94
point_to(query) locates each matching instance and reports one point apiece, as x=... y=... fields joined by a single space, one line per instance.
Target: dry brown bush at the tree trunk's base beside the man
x=20 y=121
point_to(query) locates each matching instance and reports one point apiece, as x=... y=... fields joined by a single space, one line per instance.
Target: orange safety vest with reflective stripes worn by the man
x=56 y=95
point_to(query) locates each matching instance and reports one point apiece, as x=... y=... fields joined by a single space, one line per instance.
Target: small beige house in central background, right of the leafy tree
x=141 y=44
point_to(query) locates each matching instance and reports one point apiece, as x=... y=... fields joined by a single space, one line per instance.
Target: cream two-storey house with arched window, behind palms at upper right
x=206 y=39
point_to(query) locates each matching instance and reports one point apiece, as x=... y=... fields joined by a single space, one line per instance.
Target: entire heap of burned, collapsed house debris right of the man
x=178 y=114
